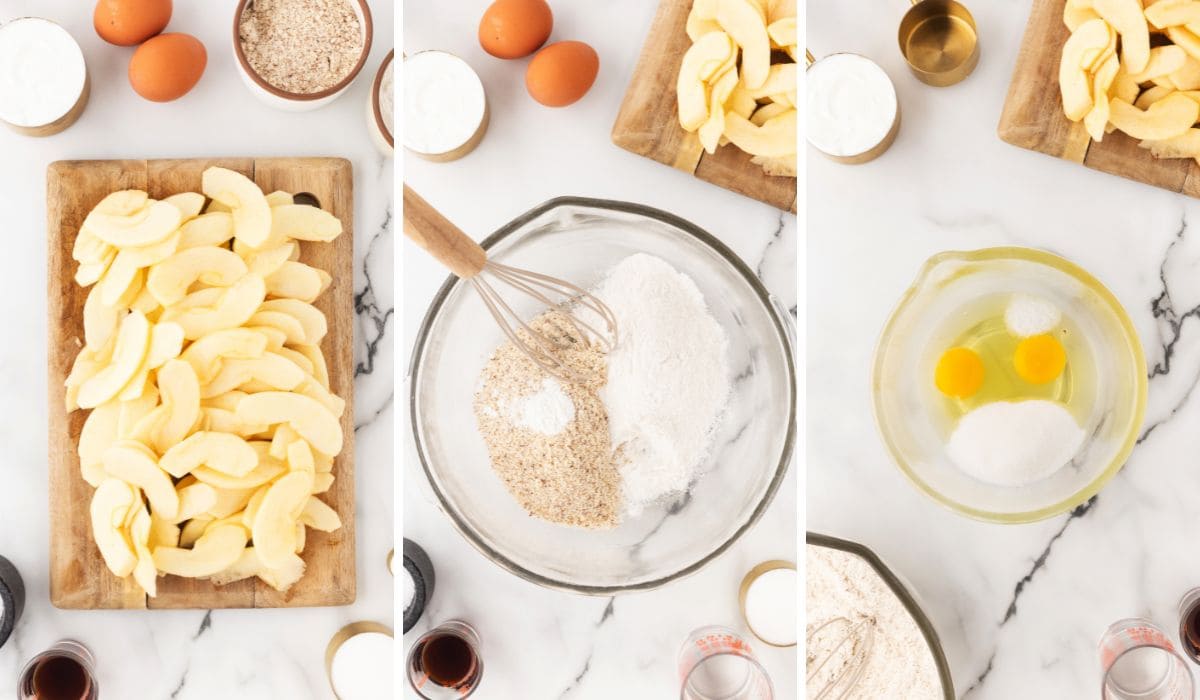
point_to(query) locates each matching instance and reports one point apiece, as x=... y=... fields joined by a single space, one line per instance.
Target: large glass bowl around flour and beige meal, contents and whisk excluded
x=579 y=241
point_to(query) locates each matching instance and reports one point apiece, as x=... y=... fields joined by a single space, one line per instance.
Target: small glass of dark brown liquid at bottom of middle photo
x=446 y=663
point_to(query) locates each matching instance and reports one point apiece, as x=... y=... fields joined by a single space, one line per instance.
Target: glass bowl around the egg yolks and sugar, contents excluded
x=937 y=308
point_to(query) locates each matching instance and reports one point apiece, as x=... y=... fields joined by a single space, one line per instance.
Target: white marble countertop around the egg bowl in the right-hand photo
x=1021 y=608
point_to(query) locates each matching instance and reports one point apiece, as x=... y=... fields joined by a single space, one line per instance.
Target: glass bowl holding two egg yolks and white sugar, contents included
x=1027 y=441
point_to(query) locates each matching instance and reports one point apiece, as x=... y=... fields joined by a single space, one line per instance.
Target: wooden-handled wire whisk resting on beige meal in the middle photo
x=469 y=261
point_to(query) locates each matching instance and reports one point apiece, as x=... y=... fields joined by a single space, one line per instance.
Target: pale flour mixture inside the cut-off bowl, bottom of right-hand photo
x=899 y=662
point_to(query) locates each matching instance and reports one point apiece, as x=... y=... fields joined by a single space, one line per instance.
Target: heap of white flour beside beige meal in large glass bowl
x=669 y=378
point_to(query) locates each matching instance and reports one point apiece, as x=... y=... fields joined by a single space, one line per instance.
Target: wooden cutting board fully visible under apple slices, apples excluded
x=79 y=576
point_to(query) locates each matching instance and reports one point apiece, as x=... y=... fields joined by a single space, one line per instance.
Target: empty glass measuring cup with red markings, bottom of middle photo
x=717 y=663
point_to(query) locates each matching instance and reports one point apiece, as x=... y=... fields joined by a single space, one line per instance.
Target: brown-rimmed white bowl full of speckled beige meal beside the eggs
x=301 y=55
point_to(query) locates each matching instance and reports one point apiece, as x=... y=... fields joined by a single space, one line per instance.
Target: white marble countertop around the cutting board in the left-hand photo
x=238 y=655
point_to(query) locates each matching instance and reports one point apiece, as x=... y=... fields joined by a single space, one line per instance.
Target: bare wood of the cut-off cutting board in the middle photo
x=649 y=123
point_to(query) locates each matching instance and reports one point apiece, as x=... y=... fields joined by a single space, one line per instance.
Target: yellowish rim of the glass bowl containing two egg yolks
x=1087 y=279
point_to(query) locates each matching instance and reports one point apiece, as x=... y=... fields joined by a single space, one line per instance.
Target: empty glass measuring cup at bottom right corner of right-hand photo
x=1138 y=662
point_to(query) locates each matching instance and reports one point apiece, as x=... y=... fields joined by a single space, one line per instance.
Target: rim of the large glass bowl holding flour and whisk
x=770 y=304
